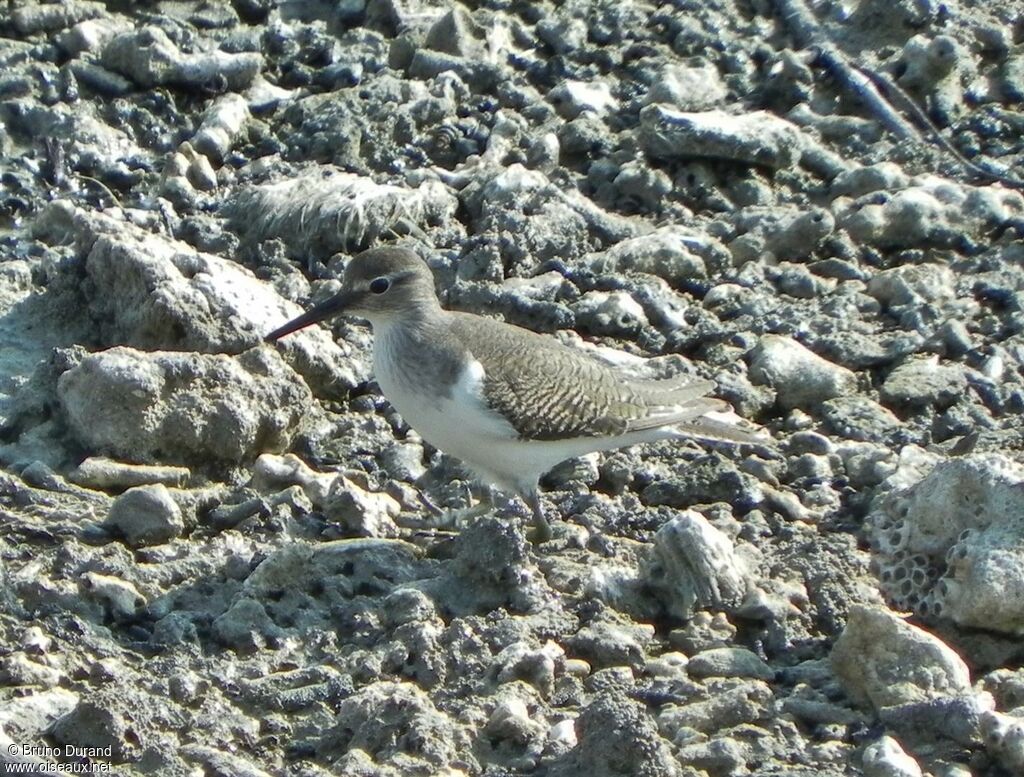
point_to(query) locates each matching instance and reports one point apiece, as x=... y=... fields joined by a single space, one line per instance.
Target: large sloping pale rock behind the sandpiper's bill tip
x=160 y=294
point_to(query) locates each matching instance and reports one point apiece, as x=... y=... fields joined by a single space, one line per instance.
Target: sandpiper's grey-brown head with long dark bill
x=381 y=285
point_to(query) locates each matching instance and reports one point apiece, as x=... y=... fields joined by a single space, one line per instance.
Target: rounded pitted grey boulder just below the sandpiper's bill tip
x=167 y=407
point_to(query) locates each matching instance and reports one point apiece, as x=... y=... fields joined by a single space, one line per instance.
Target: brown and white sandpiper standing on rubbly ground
x=509 y=403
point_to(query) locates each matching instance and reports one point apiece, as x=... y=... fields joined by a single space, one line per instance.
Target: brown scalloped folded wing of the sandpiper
x=549 y=392
